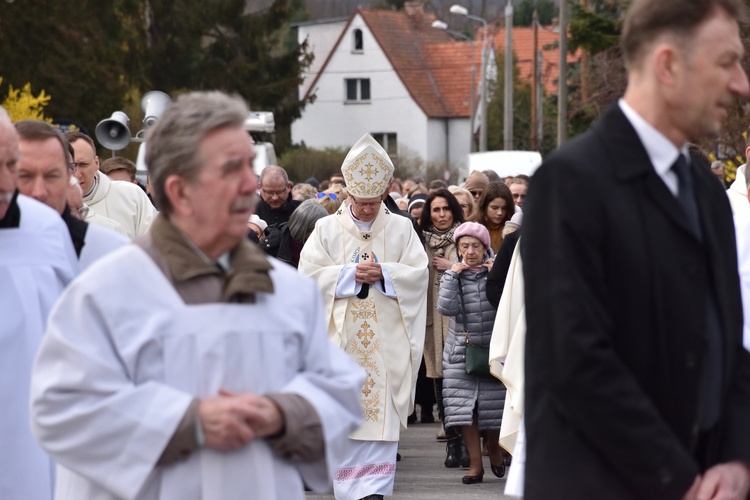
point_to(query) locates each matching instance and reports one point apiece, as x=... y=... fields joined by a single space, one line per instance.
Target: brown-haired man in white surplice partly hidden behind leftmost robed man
x=43 y=173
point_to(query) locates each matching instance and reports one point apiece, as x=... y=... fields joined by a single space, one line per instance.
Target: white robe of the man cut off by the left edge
x=37 y=260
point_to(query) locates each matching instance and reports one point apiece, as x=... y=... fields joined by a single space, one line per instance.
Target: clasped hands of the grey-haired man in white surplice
x=231 y=420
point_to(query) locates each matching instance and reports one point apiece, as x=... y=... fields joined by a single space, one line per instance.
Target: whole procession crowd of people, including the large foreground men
x=256 y=338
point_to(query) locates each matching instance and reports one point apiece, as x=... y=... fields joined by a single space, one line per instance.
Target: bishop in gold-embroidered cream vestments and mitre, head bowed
x=372 y=270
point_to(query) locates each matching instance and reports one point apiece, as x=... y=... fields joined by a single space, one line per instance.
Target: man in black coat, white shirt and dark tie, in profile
x=637 y=385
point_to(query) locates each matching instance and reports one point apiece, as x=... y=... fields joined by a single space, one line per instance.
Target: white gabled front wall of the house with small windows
x=331 y=122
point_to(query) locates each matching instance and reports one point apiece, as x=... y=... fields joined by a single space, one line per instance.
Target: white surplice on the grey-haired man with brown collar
x=135 y=355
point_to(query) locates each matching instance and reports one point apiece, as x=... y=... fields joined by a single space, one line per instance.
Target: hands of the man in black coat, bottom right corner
x=727 y=481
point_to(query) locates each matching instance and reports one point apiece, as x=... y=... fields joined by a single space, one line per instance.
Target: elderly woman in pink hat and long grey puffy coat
x=471 y=402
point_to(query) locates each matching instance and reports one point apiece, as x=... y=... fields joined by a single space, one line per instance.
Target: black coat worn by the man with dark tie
x=616 y=288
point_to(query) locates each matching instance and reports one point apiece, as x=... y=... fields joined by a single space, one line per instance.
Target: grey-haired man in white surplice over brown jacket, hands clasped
x=189 y=365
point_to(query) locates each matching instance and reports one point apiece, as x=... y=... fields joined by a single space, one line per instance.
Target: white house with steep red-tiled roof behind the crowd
x=391 y=74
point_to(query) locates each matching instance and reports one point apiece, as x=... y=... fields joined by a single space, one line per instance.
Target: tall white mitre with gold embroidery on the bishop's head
x=367 y=169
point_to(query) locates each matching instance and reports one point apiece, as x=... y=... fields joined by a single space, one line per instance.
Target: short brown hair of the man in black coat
x=646 y=20
